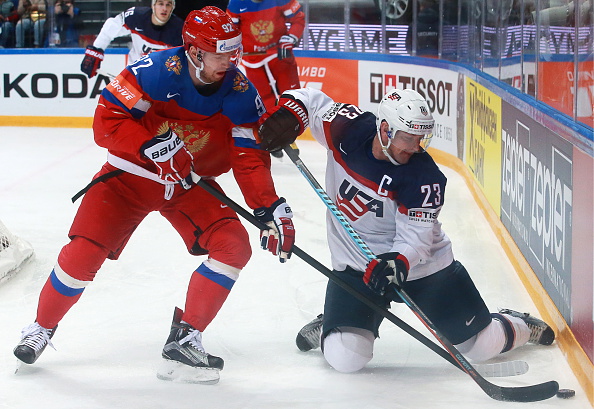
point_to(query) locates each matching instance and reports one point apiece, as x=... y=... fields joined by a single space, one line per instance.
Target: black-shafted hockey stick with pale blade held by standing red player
x=504 y=369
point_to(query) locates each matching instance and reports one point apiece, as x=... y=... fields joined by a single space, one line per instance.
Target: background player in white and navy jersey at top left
x=150 y=28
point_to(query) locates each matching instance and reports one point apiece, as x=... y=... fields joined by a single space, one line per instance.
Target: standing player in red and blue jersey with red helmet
x=173 y=114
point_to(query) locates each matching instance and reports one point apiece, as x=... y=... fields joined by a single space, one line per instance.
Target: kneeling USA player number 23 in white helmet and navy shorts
x=391 y=191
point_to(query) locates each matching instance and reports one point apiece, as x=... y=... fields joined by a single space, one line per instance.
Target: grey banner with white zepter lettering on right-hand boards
x=537 y=201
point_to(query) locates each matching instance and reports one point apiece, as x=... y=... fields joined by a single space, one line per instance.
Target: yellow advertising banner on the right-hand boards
x=483 y=141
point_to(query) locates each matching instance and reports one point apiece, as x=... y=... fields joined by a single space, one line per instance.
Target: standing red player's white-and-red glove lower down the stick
x=280 y=236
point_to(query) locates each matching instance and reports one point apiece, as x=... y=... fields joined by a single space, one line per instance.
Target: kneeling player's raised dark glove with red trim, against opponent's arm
x=285 y=123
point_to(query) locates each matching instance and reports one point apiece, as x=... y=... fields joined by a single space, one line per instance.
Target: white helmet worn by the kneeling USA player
x=405 y=110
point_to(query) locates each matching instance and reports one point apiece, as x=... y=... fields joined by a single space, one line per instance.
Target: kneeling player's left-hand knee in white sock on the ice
x=348 y=349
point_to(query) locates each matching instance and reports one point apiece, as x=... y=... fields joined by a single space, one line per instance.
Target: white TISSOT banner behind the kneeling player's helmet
x=438 y=86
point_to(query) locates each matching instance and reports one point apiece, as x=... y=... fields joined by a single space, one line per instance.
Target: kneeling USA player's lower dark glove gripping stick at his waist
x=388 y=269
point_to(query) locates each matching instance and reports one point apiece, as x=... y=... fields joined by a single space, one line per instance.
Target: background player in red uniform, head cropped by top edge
x=263 y=24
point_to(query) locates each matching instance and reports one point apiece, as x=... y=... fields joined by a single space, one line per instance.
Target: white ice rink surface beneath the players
x=109 y=344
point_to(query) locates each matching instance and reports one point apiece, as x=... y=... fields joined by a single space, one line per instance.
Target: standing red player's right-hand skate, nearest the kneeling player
x=184 y=357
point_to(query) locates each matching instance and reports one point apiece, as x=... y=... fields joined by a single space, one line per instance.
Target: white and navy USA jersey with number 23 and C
x=393 y=208
